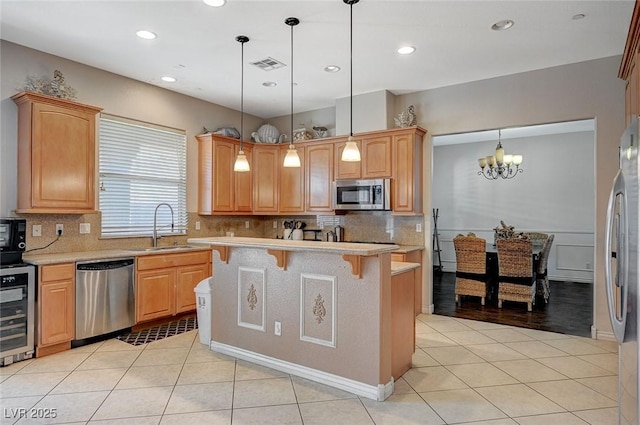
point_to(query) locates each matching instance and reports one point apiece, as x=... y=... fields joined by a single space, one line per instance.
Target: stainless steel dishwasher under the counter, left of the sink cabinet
x=104 y=297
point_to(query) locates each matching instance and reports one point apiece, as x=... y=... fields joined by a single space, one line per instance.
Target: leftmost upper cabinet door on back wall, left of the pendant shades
x=224 y=154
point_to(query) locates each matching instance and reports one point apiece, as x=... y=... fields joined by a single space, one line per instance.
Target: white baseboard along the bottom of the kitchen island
x=380 y=392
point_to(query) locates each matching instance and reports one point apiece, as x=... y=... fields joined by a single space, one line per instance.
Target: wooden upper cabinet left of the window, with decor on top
x=56 y=155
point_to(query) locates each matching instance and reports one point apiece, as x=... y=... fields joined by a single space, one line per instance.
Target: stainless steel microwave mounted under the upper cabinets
x=367 y=195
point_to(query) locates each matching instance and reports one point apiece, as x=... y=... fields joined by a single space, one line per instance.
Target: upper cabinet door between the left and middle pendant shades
x=265 y=179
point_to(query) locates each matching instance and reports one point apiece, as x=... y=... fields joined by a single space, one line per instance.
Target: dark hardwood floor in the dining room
x=569 y=311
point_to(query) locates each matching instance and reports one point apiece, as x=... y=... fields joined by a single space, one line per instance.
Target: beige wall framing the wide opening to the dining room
x=583 y=90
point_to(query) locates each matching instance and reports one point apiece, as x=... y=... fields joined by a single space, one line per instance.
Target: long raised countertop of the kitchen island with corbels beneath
x=298 y=245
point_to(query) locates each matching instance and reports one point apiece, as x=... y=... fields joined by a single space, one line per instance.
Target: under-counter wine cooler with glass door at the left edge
x=17 y=312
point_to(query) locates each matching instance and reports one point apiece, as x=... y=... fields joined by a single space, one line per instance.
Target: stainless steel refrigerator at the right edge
x=621 y=272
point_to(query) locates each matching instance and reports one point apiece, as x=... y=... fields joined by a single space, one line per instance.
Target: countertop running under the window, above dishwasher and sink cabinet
x=111 y=254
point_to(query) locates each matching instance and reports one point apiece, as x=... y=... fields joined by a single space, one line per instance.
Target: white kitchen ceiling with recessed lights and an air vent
x=196 y=43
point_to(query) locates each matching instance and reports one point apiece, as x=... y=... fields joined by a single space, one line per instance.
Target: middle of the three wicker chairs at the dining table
x=516 y=276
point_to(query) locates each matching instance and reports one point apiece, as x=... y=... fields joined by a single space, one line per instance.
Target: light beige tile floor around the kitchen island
x=464 y=372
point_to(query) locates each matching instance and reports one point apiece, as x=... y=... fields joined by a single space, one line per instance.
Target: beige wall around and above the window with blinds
x=117 y=95
